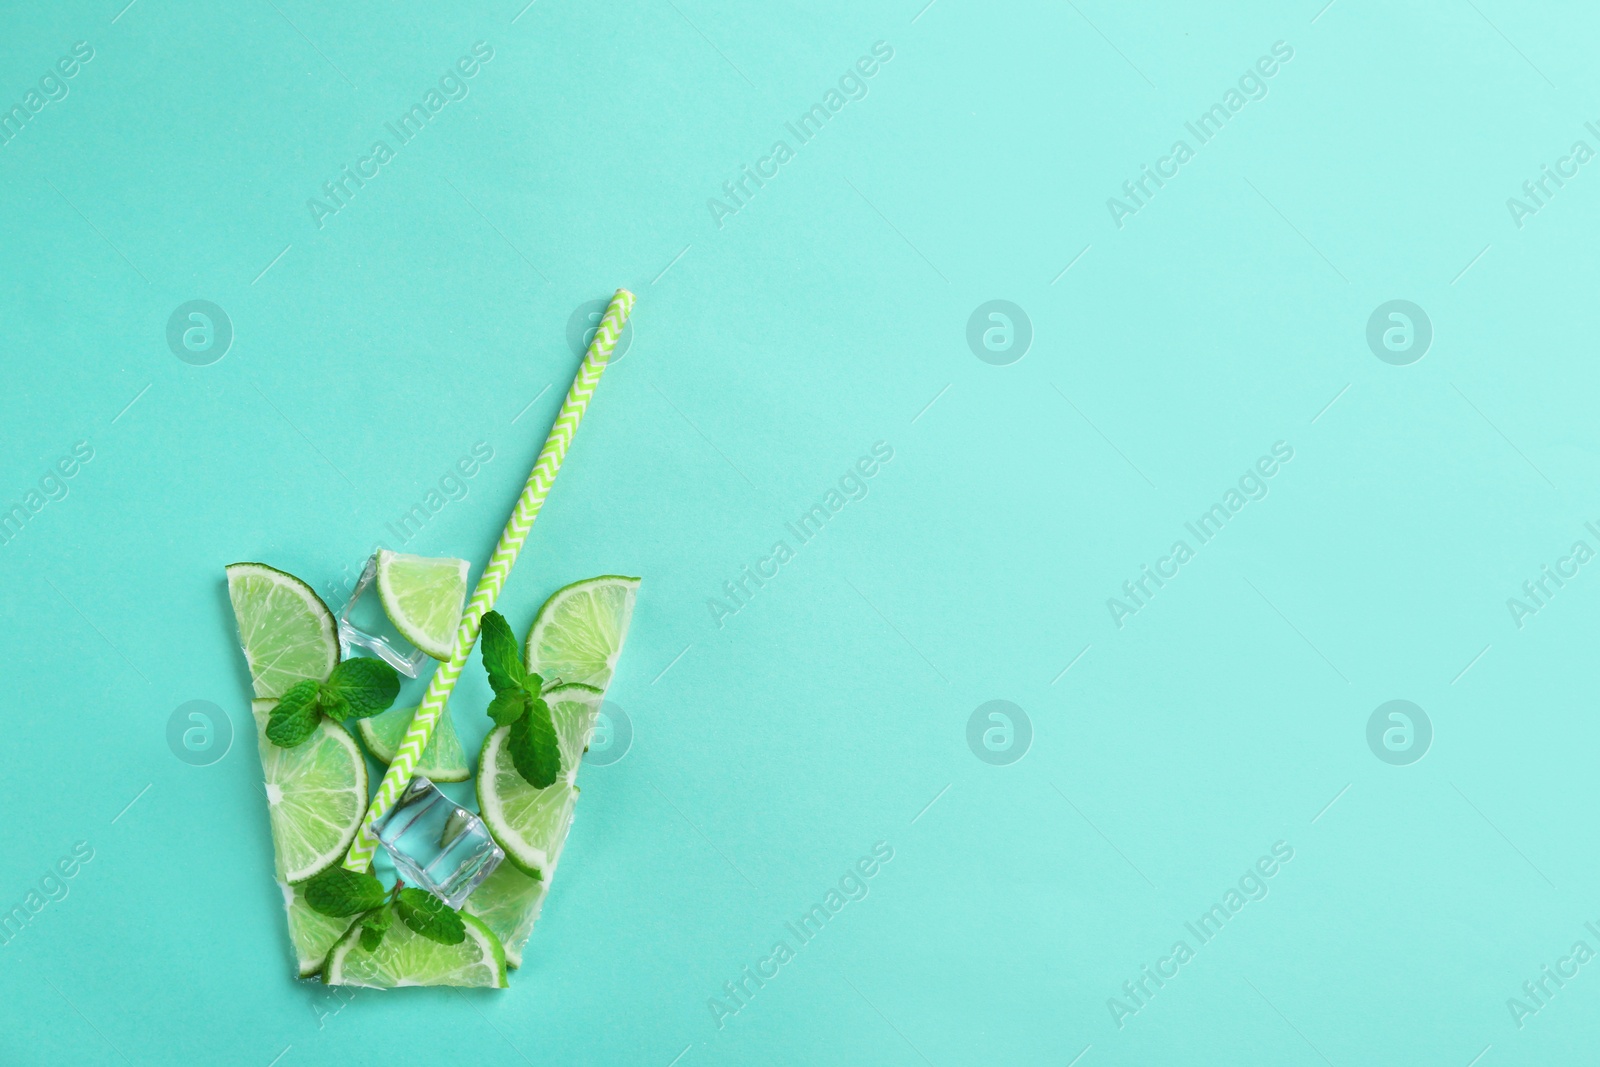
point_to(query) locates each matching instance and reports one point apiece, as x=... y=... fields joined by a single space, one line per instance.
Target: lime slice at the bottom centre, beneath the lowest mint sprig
x=409 y=959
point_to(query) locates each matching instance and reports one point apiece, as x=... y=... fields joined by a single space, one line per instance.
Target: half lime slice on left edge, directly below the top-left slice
x=316 y=796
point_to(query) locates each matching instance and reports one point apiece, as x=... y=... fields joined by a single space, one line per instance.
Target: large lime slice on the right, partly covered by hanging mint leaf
x=532 y=823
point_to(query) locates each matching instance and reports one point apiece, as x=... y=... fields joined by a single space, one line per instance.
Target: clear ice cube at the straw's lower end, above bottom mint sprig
x=438 y=845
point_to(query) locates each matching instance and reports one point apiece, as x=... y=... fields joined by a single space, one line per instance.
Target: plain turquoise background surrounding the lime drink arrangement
x=770 y=353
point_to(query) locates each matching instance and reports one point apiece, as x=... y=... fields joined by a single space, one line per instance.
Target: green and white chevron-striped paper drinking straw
x=529 y=505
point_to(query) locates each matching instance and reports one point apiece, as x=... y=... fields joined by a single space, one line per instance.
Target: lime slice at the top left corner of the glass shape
x=287 y=631
